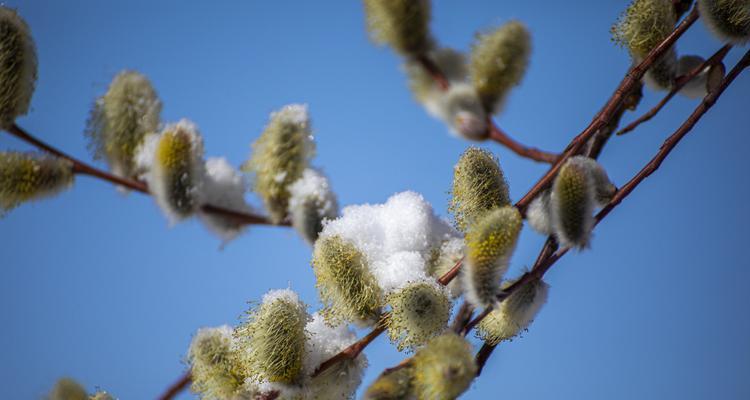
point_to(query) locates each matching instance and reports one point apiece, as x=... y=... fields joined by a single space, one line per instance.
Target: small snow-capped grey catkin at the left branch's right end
x=312 y=201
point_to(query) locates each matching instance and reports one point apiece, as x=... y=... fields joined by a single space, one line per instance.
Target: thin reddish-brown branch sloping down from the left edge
x=80 y=167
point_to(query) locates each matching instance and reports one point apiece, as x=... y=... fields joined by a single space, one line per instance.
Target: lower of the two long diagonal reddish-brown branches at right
x=541 y=267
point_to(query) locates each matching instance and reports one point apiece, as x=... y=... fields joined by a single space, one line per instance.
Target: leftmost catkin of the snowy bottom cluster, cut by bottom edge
x=213 y=364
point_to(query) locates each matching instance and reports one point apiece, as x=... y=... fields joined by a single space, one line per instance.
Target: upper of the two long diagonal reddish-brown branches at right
x=603 y=117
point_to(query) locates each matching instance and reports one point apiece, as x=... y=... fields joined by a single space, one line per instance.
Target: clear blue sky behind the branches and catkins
x=95 y=285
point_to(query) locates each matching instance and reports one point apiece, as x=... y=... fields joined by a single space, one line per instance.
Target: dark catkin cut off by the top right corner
x=729 y=20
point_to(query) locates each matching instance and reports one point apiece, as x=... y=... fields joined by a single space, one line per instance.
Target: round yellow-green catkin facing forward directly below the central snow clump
x=419 y=311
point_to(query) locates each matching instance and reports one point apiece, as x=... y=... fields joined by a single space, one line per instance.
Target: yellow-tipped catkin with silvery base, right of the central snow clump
x=489 y=244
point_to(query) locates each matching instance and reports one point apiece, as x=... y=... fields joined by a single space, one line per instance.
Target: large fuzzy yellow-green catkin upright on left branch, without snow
x=121 y=118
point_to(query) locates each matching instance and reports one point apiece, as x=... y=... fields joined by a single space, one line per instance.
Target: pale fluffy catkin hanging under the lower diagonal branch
x=514 y=314
